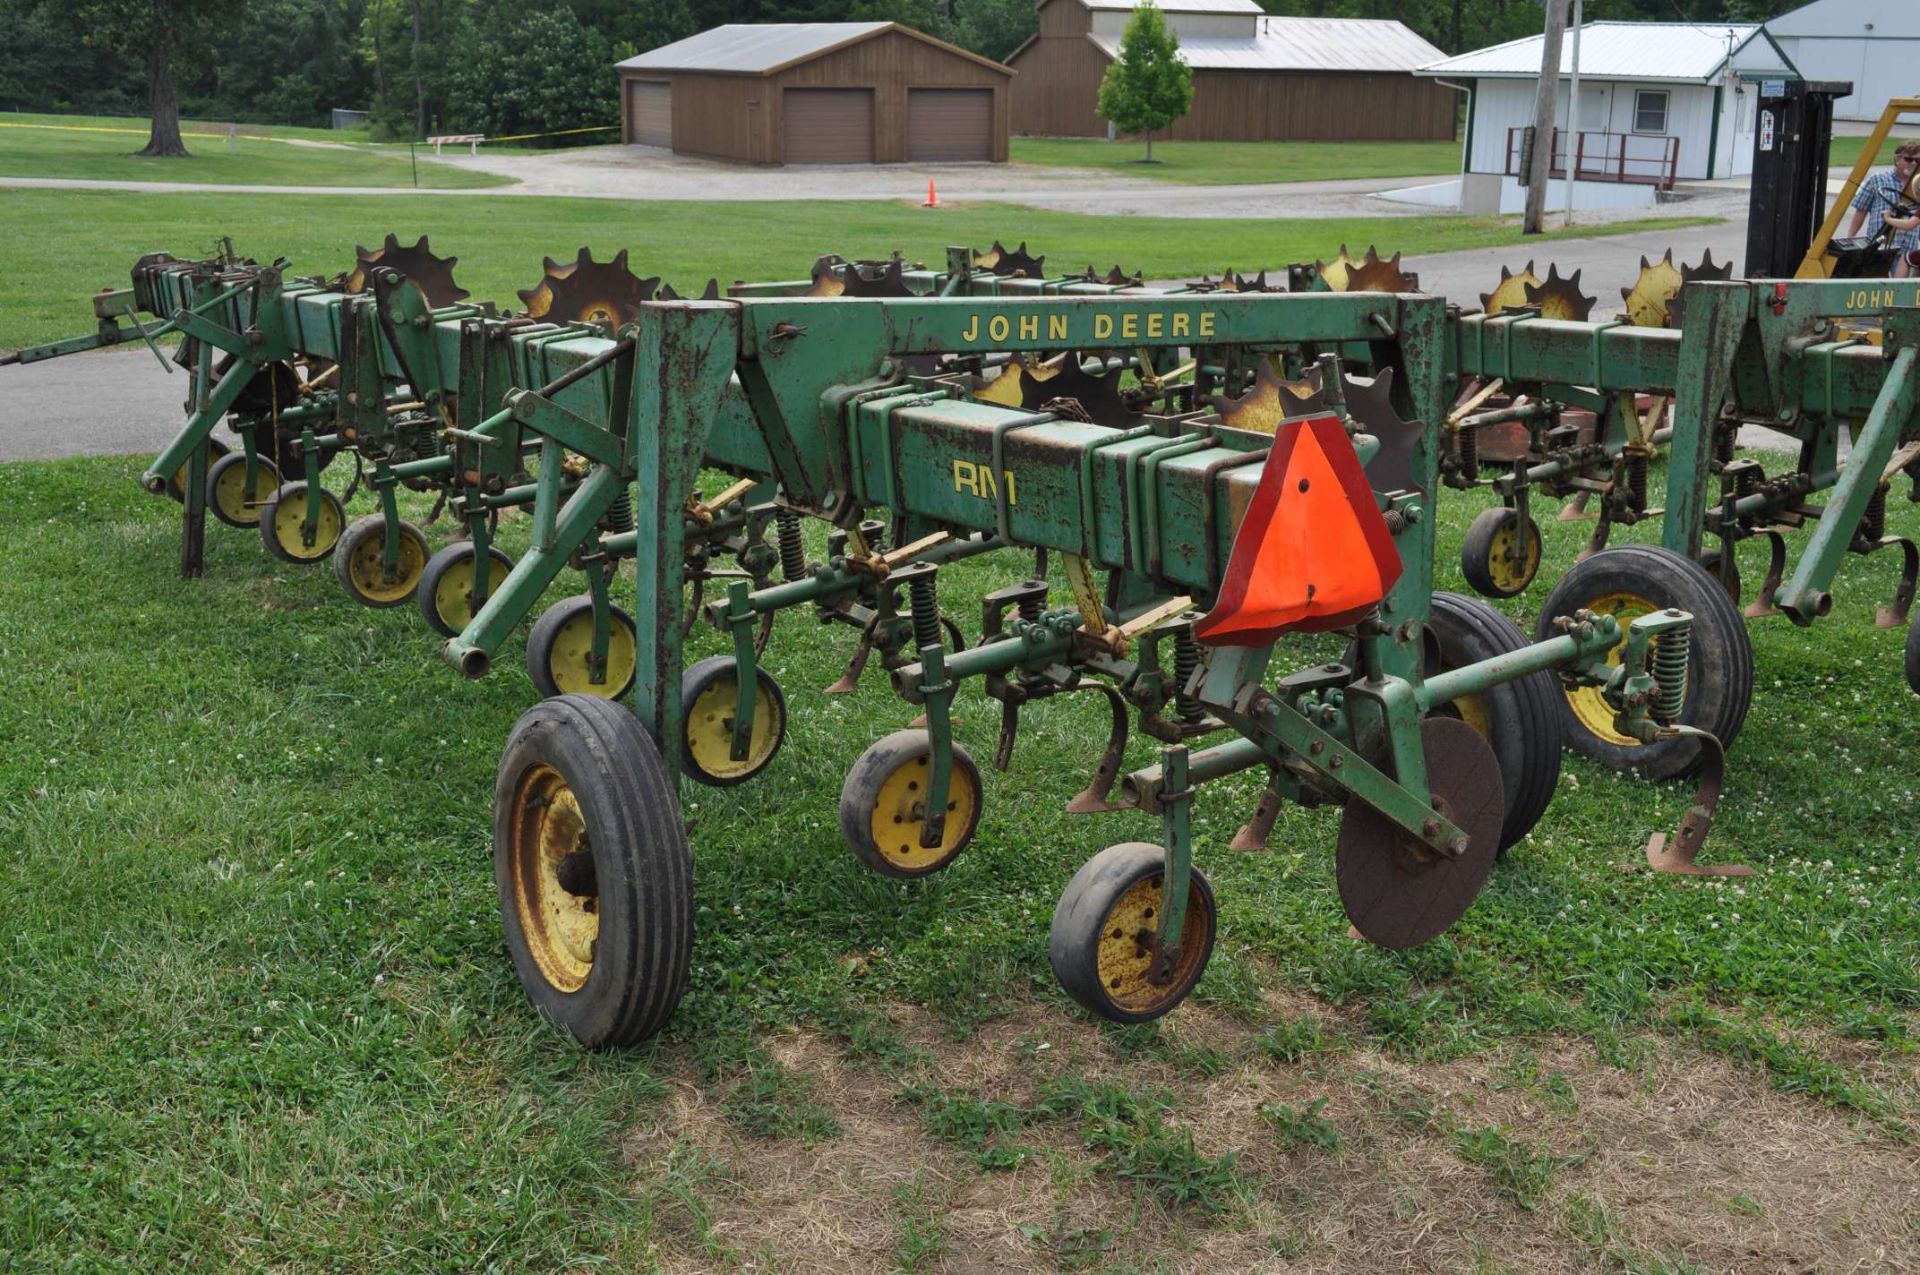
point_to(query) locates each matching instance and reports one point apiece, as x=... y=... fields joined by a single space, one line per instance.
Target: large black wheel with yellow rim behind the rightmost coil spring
x=1635 y=581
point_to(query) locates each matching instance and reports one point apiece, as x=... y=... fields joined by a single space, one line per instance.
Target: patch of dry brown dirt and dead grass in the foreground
x=1683 y=1159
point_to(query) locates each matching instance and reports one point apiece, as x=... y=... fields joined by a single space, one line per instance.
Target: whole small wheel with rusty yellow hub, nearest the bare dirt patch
x=1103 y=940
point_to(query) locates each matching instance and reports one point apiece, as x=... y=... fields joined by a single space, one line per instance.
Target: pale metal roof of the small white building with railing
x=1691 y=53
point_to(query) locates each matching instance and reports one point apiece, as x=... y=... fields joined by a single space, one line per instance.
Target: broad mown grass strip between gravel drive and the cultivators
x=500 y=243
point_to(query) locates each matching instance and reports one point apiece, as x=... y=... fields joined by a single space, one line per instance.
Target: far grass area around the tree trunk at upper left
x=101 y=149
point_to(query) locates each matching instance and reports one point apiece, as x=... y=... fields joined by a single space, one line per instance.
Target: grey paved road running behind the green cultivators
x=122 y=402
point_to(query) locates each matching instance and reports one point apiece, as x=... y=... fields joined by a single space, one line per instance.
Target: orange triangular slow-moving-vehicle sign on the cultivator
x=1312 y=552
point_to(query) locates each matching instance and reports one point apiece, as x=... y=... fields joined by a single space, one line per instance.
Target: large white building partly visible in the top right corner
x=1873 y=43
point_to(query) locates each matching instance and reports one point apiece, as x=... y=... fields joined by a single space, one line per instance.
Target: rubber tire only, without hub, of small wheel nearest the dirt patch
x=1074 y=938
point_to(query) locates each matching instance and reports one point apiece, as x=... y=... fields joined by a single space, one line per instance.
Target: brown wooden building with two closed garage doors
x=817 y=93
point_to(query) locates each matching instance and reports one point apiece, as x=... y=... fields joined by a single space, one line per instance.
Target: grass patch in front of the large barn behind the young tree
x=1234 y=164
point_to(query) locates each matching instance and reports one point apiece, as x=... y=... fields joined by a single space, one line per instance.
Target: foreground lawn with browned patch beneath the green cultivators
x=254 y=1007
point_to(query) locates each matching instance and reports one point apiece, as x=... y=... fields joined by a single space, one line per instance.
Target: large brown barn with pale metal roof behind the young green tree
x=1257 y=78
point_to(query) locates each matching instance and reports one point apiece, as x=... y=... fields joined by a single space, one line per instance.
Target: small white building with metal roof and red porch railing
x=1660 y=105
